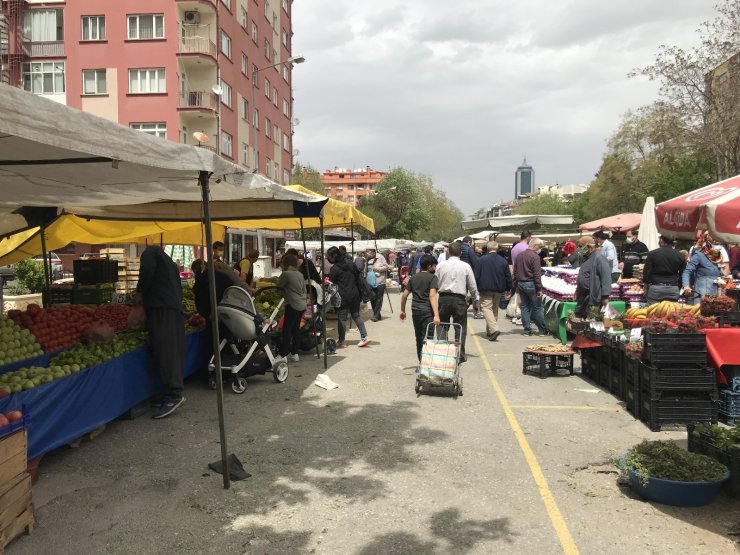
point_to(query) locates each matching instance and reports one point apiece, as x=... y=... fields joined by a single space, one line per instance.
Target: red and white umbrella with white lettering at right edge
x=715 y=207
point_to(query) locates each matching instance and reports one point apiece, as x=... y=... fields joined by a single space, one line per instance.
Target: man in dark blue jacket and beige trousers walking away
x=493 y=278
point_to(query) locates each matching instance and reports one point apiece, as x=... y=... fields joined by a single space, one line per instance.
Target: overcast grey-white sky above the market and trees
x=461 y=90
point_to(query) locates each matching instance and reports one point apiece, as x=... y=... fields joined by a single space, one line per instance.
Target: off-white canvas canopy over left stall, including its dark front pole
x=56 y=158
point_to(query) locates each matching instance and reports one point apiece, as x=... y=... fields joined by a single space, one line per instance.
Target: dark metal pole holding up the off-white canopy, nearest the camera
x=203 y=181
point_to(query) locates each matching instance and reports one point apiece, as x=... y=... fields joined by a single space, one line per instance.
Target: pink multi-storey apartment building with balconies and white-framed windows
x=154 y=65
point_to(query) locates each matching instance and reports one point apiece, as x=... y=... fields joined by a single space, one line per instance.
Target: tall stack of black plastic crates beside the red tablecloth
x=676 y=385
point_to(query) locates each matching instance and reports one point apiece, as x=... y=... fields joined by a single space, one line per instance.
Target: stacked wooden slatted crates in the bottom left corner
x=16 y=505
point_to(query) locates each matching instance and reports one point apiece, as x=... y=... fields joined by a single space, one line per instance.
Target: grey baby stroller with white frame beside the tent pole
x=245 y=351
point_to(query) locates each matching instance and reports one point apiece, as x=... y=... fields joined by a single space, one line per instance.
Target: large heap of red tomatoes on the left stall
x=56 y=327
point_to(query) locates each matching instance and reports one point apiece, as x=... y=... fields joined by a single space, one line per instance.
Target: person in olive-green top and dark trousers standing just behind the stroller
x=293 y=288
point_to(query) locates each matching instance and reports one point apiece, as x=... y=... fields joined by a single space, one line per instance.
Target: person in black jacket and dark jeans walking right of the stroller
x=345 y=275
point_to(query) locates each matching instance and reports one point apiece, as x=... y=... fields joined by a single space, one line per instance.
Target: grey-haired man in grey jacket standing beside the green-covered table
x=594 y=283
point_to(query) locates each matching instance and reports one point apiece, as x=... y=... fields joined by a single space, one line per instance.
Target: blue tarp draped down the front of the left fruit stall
x=67 y=408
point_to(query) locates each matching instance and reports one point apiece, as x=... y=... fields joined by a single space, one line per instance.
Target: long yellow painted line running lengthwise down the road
x=556 y=517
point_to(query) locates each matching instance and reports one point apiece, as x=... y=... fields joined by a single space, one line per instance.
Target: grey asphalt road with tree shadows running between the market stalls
x=516 y=465
